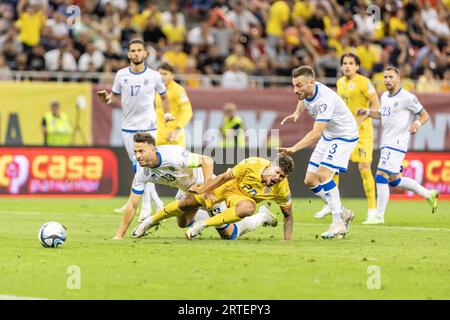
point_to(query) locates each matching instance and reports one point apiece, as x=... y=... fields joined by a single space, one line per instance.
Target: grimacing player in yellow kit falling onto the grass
x=251 y=181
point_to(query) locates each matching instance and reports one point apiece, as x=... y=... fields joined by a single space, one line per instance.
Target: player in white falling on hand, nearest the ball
x=174 y=166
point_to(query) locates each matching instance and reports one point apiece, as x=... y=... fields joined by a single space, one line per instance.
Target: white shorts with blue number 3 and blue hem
x=333 y=154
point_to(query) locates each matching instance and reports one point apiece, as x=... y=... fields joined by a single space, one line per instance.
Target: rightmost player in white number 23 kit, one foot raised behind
x=399 y=108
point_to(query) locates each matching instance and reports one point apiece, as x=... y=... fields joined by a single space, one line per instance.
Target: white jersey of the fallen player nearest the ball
x=177 y=168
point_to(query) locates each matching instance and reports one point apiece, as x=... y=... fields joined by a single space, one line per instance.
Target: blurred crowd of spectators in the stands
x=234 y=39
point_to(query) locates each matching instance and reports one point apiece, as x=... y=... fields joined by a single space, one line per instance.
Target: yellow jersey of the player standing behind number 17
x=180 y=108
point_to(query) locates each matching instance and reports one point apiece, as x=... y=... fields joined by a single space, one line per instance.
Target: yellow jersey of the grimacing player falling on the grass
x=248 y=182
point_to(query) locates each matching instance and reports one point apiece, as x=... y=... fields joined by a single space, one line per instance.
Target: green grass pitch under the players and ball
x=410 y=255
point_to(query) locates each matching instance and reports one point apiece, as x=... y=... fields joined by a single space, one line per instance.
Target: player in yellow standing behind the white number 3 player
x=358 y=93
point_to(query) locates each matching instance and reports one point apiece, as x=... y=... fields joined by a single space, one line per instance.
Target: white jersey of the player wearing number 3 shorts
x=327 y=106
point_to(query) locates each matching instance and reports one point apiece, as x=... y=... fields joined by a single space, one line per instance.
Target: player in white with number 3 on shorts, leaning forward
x=337 y=132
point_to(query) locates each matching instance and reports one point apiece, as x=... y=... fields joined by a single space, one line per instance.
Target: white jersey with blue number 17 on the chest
x=137 y=91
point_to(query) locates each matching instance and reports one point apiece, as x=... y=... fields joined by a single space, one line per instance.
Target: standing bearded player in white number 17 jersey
x=137 y=86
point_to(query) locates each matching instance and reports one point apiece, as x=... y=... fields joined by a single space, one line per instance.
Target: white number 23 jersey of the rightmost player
x=397 y=114
